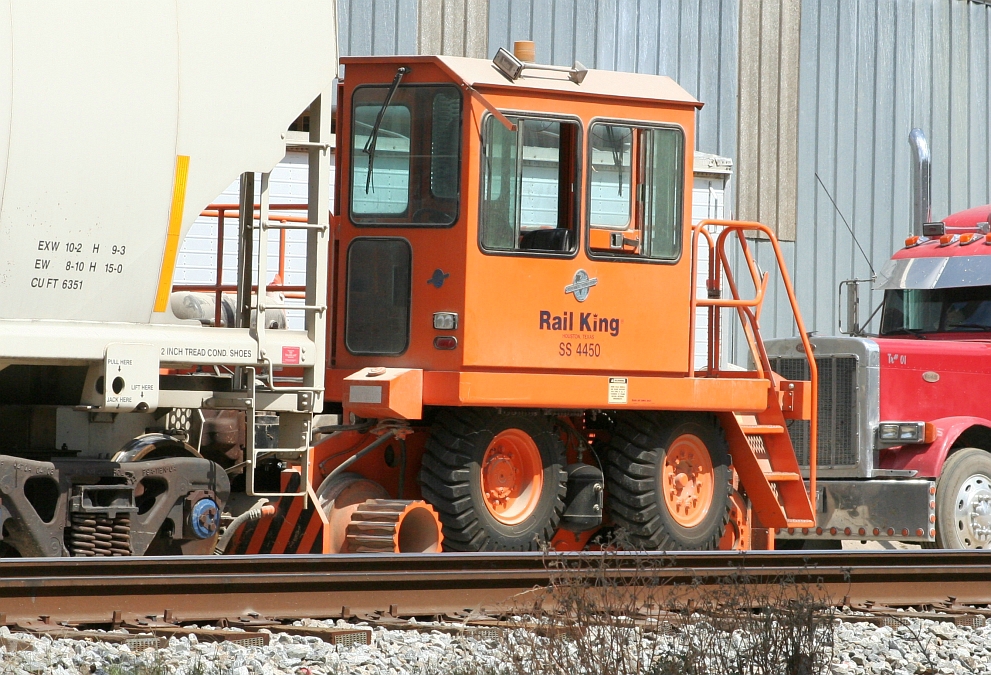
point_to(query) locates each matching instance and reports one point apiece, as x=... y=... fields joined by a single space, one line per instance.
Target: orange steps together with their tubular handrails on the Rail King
x=760 y=446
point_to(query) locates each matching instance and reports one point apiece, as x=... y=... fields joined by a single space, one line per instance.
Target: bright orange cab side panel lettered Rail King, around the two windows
x=505 y=294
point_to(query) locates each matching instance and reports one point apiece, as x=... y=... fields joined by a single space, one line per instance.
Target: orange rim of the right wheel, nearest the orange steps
x=687 y=480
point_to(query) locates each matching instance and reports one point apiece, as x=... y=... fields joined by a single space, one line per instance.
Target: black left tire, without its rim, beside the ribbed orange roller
x=450 y=480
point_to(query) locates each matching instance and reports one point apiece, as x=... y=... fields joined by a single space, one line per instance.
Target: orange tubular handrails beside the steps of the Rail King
x=750 y=309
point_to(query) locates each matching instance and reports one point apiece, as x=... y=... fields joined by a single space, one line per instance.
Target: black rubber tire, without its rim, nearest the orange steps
x=634 y=501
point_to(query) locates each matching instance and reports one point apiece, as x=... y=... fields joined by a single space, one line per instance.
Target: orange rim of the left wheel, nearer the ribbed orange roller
x=512 y=476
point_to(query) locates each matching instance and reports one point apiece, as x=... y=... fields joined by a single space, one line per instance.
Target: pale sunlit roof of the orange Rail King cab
x=484 y=76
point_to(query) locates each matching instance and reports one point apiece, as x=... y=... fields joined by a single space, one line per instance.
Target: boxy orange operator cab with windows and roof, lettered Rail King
x=489 y=221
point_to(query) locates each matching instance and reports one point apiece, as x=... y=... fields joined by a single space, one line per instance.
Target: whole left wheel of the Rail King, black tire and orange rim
x=497 y=481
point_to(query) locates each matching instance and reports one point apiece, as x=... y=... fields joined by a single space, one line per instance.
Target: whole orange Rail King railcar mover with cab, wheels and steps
x=514 y=304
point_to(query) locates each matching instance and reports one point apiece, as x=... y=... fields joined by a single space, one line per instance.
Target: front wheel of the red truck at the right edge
x=963 y=501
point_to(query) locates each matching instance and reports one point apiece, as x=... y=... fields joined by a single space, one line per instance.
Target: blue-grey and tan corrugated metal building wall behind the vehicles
x=868 y=71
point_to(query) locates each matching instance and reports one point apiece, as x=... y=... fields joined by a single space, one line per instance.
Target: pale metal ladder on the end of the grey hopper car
x=295 y=405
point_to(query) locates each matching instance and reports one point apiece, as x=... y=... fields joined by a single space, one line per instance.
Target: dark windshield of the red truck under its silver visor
x=939 y=310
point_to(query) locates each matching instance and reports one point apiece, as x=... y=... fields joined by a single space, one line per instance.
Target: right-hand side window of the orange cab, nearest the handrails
x=636 y=184
